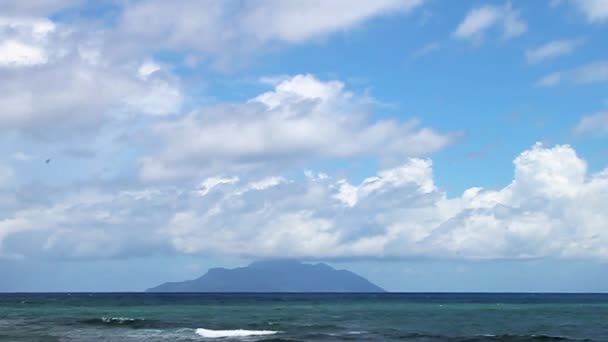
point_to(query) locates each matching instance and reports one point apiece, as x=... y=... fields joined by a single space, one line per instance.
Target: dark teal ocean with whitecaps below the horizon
x=424 y=317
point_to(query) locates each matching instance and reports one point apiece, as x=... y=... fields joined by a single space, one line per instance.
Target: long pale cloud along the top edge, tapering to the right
x=226 y=29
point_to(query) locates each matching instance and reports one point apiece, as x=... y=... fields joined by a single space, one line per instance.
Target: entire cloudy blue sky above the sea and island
x=429 y=145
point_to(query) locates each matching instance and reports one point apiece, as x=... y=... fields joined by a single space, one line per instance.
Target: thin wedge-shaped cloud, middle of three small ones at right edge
x=594 y=72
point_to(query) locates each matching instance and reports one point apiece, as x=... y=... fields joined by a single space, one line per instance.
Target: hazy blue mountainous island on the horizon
x=274 y=275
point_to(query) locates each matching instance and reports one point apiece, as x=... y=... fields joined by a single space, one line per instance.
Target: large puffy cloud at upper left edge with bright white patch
x=57 y=83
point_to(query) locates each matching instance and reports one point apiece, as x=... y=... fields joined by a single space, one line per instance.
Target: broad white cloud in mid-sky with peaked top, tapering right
x=302 y=119
